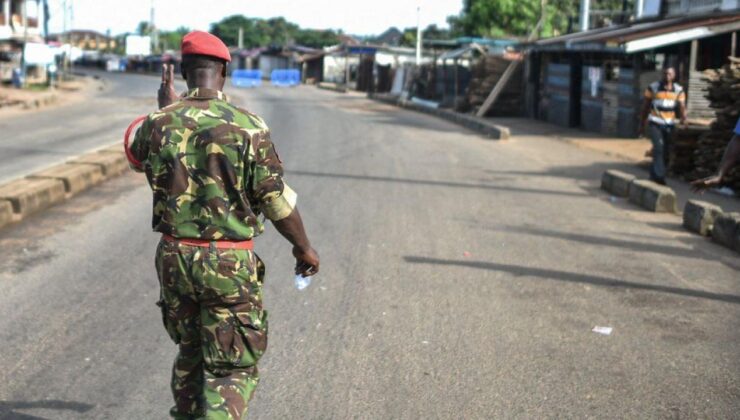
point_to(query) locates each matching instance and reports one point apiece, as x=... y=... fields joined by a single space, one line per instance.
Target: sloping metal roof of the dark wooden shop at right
x=658 y=33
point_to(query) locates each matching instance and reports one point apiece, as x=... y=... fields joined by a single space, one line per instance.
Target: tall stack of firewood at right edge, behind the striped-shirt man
x=724 y=96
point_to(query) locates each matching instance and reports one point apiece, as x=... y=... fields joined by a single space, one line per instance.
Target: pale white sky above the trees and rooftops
x=367 y=17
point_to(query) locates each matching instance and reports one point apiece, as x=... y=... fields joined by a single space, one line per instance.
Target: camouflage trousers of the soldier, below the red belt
x=211 y=301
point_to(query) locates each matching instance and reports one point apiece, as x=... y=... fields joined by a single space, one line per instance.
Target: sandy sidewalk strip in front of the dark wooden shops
x=630 y=154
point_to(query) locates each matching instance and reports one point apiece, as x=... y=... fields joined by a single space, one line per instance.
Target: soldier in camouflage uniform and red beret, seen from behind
x=213 y=170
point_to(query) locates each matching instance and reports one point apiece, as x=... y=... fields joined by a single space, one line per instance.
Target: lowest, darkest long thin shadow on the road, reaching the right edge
x=569 y=277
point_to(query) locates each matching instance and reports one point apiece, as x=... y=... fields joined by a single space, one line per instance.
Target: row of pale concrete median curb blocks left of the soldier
x=23 y=197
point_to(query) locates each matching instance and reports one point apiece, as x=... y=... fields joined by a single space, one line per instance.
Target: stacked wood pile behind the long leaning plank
x=484 y=76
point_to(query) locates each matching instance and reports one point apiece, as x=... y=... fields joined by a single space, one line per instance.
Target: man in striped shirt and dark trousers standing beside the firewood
x=663 y=99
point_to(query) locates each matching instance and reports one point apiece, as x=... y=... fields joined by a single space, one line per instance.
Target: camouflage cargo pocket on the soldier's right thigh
x=234 y=337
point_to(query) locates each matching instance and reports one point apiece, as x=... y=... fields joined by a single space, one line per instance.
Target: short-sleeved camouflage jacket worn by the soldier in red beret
x=212 y=169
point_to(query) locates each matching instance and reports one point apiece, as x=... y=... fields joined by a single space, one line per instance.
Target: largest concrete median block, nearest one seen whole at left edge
x=28 y=196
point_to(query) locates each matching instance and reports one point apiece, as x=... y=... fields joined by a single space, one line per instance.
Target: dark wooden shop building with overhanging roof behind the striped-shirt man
x=595 y=79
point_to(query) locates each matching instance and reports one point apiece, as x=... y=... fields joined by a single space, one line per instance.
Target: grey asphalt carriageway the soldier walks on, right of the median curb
x=461 y=278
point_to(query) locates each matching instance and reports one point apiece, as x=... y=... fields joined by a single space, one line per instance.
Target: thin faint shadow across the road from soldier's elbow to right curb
x=446 y=184
